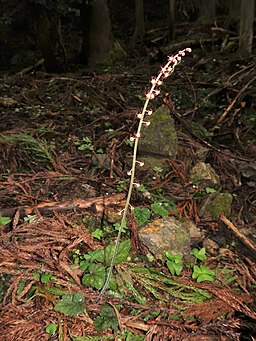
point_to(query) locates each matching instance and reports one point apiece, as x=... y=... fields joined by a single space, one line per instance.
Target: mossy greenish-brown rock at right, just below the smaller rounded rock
x=214 y=204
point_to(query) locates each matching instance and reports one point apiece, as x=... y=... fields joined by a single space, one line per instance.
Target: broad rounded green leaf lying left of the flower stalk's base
x=71 y=304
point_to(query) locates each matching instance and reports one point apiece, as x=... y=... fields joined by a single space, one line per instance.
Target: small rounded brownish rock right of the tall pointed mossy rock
x=204 y=175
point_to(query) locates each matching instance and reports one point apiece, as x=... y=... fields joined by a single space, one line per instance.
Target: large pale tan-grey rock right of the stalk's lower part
x=167 y=234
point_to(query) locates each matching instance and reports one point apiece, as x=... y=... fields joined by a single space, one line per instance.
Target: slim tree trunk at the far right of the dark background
x=246 y=28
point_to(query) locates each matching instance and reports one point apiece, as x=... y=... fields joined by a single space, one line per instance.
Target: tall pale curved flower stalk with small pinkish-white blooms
x=154 y=91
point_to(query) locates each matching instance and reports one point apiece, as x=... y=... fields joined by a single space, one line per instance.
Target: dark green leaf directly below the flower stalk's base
x=107 y=319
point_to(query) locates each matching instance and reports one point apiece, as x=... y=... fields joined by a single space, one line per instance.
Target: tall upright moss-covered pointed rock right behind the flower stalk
x=159 y=139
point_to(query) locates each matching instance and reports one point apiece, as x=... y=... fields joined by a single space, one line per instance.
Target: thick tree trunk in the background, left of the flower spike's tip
x=100 y=34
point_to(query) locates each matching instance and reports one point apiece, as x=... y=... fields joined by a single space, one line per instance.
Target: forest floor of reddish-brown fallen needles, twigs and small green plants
x=64 y=143
